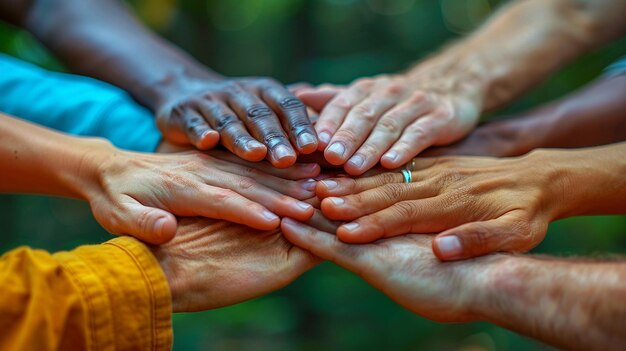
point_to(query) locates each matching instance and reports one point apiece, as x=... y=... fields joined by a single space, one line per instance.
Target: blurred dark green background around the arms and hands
x=316 y=41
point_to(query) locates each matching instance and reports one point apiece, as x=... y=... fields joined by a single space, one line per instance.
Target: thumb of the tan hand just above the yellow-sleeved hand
x=152 y=225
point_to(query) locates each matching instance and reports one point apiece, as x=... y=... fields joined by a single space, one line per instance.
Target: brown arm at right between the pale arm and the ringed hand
x=592 y=116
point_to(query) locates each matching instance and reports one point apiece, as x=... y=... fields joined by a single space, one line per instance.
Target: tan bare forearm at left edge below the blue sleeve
x=37 y=160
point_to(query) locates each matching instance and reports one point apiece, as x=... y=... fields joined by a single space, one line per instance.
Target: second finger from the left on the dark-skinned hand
x=233 y=133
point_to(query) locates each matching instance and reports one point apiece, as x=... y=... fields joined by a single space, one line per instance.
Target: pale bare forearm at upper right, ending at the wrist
x=523 y=43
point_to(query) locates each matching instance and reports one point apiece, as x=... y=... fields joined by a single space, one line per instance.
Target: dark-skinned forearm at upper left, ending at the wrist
x=102 y=39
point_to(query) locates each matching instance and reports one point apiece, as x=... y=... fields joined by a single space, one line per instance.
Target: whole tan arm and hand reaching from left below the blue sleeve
x=140 y=194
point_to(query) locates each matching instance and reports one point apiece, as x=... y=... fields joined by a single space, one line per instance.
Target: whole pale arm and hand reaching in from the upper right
x=392 y=118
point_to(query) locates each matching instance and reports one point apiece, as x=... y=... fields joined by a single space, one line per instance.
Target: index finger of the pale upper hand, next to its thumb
x=338 y=108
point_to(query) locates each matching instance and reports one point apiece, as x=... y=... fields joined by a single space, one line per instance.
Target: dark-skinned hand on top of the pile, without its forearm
x=248 y=116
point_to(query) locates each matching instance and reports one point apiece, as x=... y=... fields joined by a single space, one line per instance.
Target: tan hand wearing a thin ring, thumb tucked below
x=480 y=205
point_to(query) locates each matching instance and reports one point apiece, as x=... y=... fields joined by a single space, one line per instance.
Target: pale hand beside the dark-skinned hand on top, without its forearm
x=391 y=118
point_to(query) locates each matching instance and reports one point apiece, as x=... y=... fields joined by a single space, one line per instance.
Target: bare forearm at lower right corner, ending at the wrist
x=574 y=305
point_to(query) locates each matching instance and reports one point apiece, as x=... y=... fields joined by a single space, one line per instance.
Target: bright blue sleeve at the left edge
x=75 y=105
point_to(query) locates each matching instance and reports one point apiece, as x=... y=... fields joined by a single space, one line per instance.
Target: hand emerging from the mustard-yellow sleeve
x=211 y=264
